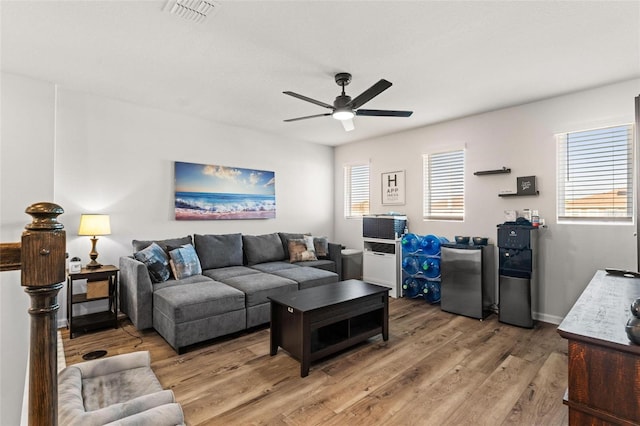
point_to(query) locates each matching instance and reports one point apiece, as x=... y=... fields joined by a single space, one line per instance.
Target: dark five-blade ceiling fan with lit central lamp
x=344 y=108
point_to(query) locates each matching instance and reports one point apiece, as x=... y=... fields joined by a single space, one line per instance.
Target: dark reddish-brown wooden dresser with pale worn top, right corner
x=604 y=366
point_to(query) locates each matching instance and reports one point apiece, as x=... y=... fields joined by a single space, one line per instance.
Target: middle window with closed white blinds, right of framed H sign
x=443 y=186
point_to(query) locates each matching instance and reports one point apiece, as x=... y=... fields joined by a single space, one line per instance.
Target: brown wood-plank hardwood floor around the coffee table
x=436 y=369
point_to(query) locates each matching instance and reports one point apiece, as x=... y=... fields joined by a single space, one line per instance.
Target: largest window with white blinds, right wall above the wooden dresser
x=595 y=175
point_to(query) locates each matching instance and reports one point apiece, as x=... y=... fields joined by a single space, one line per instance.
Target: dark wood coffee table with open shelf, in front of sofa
x=313 y=323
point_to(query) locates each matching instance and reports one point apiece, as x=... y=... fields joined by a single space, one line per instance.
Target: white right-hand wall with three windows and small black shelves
x=521 y=138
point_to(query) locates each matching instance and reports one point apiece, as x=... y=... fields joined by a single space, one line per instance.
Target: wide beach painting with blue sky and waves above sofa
x=209 y=192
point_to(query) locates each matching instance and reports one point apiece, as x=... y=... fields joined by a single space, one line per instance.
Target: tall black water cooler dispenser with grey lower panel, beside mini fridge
x=517 y=268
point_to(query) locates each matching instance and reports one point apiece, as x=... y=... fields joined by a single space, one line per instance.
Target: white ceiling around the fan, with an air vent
x=445 y=59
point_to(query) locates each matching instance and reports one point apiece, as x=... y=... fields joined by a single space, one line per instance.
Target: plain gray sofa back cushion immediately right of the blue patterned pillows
x=219 y=251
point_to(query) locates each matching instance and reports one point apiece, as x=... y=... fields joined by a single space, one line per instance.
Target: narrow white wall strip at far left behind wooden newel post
x=26 y=177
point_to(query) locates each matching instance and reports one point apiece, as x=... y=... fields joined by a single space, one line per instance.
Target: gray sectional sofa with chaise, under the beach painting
x=238 y=274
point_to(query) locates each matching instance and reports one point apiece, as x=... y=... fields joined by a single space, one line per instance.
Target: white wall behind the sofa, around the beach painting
x=117 y=158
